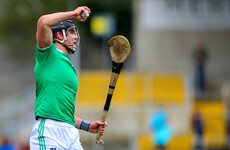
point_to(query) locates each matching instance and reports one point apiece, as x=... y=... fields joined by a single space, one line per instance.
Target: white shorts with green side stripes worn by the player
x=48 y=134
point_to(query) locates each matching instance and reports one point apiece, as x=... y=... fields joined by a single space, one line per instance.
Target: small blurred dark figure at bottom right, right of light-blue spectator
x=198 y=128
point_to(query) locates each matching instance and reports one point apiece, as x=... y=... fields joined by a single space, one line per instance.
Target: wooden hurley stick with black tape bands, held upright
x=119 y=48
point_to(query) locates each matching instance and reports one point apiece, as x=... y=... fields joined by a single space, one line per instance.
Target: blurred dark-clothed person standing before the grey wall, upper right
x=200 y=56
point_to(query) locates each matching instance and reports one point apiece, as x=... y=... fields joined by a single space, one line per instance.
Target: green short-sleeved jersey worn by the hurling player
x=56 y=85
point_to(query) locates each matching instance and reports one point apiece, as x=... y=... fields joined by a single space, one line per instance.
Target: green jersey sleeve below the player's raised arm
x=43 y=54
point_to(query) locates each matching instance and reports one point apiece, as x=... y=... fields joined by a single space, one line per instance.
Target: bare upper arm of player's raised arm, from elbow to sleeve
x=44 y=34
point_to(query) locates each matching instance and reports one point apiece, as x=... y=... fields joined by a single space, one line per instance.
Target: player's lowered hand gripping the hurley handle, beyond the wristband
x=94 y=126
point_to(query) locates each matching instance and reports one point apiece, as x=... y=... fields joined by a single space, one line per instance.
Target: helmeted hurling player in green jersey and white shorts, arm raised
x=57 y=83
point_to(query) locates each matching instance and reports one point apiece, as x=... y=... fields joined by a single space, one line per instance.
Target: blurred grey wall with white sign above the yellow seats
x=167 y=41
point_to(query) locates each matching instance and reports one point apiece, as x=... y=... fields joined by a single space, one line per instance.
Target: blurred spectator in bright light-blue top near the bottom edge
x=161 y=130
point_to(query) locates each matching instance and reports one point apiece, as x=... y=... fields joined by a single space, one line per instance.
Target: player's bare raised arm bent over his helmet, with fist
x=44 y=35
